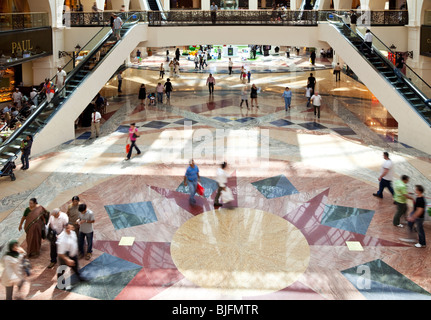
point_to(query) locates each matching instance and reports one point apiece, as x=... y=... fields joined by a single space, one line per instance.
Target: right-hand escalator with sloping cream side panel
x=405 y=96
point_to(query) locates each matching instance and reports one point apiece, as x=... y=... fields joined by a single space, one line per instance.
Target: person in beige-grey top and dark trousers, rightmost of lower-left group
x=85 y=221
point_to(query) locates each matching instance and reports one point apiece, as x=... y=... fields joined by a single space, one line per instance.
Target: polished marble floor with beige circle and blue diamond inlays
x=303 y=223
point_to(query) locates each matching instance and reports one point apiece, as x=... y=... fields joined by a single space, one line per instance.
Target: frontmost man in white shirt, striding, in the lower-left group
x=67 y=249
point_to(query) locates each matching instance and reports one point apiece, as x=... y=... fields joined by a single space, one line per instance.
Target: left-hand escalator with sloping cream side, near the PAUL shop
x=48 y=118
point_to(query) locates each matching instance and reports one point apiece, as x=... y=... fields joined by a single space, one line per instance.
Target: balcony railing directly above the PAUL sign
x=22 y=21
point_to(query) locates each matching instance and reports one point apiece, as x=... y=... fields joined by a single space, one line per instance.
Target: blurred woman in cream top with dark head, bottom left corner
x=13 y=274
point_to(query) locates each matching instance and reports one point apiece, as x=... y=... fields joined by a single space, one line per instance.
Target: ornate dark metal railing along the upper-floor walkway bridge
x=239 y=17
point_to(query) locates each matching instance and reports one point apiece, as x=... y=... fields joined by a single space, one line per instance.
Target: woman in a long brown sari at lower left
x=34 y=220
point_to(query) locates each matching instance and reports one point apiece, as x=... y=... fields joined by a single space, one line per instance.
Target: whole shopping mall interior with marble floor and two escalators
x=304 y=222
